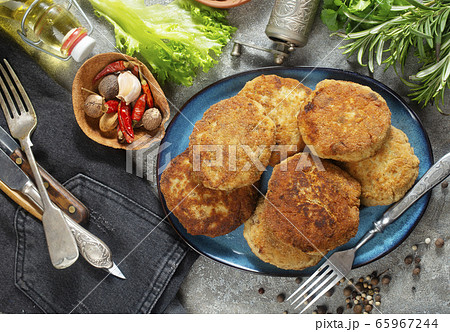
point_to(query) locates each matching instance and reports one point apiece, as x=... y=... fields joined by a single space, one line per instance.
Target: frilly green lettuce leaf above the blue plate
x=176 y=40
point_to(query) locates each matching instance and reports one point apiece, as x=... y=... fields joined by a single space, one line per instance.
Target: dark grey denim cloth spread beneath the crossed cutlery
x=123 y=211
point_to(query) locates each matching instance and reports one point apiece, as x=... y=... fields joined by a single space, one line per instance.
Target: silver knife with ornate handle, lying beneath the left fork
x=94 y=250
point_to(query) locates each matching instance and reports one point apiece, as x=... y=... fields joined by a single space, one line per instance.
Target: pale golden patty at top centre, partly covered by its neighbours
x=282 y=99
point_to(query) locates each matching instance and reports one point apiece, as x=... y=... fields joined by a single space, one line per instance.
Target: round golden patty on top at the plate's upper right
x=344 y=121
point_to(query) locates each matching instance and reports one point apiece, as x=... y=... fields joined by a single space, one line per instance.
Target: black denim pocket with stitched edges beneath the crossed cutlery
x=148 y=252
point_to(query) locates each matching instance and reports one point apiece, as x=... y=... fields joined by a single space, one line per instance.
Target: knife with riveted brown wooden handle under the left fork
x=58 y=194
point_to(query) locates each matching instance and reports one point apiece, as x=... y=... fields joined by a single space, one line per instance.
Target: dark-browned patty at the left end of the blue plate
x=200 y=210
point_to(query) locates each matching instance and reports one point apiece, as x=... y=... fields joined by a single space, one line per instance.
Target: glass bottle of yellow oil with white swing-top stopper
x=58 y=31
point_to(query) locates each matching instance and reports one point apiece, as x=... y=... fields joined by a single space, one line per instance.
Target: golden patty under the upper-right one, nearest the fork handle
x=389 y=174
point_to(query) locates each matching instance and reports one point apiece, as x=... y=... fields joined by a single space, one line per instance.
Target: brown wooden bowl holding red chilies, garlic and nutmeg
x=84 y=78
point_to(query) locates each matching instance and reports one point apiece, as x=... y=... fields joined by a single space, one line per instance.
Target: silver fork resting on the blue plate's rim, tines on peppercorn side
x=340 y=263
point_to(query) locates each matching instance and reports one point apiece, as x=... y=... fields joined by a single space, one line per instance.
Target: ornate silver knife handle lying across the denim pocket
x=94 y=250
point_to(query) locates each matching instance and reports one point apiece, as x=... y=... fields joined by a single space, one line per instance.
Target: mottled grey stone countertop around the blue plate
x=215 y=288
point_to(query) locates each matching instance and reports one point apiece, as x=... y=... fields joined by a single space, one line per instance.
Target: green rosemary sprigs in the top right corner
x=421 y=29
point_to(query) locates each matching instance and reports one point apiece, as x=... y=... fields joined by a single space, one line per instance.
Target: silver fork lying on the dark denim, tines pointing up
x=60 y=241
